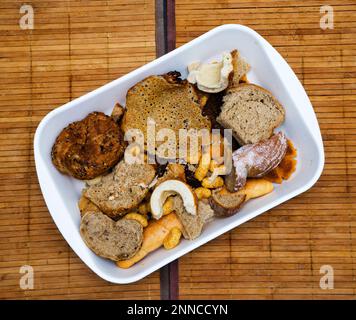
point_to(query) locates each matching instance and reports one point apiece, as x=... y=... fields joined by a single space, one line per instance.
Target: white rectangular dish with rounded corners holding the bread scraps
x=269 y=70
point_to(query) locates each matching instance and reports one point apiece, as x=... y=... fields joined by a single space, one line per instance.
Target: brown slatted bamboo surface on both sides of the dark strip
x=77 y=46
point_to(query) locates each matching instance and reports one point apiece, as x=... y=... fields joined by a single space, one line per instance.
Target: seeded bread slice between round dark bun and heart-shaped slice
x=122 y=190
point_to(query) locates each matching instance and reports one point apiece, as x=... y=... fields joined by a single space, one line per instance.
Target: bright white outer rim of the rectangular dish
x=311 y=124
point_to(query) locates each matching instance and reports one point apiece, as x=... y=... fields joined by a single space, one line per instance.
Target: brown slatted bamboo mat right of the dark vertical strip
x=279 y=254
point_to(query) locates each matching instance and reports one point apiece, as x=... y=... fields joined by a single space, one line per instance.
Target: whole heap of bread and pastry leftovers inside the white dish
x=131 y=208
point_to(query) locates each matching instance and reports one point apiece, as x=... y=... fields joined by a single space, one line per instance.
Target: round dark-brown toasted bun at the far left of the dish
x=88 y=148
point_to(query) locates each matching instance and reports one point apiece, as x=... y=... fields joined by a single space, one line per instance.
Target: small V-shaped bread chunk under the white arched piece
x=193 y=225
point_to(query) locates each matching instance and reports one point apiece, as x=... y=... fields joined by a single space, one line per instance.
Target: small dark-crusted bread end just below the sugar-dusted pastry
x=225 y=203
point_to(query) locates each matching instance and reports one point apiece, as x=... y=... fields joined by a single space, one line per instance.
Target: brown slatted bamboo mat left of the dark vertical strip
x=75 y=47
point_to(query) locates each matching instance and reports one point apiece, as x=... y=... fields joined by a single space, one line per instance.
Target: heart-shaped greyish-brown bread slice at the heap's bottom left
x=109 y=239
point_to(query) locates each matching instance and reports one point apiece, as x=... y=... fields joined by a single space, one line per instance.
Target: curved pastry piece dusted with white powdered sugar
x=255 y=160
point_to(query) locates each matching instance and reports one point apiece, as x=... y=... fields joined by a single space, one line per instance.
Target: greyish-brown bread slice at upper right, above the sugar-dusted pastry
x=251 y=112
